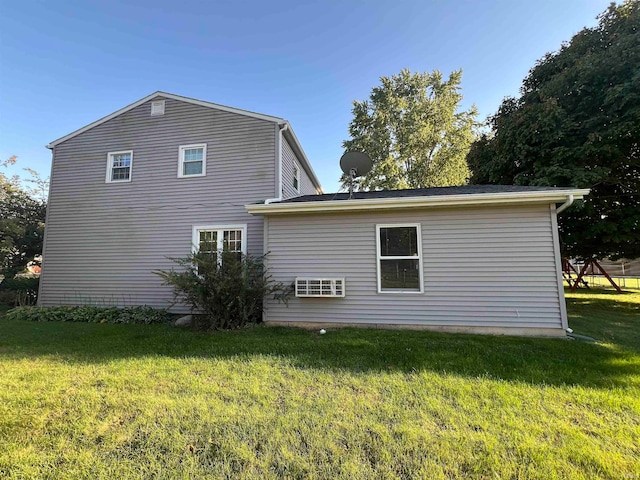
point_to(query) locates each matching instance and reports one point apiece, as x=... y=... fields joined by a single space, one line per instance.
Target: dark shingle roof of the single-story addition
x=423 y=192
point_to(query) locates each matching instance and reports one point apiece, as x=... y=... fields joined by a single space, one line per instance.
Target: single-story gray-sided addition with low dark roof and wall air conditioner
x=481 y=259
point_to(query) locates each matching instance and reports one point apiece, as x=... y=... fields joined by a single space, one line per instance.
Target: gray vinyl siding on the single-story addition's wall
x=482 y=267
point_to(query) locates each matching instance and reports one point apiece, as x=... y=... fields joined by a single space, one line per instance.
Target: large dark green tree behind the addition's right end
x=577 y=123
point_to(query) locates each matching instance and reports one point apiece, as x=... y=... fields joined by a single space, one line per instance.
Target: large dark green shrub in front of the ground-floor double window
x=225 y=290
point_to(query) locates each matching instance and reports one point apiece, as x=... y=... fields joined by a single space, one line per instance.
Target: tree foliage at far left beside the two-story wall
x=21 y=224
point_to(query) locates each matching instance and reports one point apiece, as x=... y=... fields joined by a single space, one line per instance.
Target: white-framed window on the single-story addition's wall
x=399 y=258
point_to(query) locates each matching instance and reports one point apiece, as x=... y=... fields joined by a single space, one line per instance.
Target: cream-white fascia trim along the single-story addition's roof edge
x=508 y=198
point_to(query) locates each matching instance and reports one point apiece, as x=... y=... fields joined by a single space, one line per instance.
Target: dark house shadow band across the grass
x=530 y=360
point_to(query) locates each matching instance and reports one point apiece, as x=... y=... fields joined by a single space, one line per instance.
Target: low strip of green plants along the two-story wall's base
x=90 y=314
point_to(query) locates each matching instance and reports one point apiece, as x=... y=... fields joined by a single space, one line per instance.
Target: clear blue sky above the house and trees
x=64 y=64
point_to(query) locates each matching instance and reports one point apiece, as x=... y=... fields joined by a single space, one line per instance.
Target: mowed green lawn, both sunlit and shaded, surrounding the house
x=129 y=401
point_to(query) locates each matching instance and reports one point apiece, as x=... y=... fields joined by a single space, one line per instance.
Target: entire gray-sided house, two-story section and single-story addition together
x=155 y=178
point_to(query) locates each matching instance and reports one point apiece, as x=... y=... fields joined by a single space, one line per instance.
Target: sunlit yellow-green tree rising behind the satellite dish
x=414 y=131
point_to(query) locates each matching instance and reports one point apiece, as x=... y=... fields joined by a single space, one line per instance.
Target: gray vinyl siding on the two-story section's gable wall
x=103 y=240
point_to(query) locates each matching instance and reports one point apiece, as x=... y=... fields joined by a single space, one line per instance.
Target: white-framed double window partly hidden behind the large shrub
x=220 y=240
